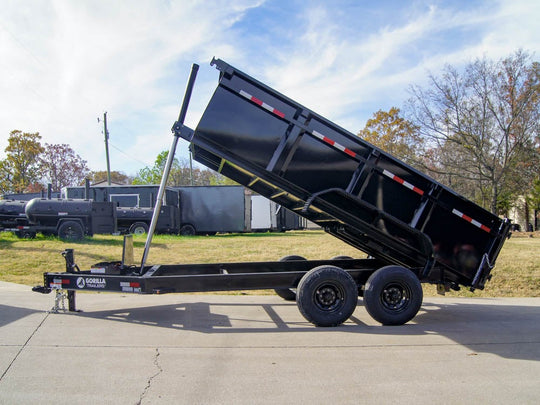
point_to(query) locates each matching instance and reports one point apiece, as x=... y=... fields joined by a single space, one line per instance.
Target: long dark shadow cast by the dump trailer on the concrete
x=510 y=331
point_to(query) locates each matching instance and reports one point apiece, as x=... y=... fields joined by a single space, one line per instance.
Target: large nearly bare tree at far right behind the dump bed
x=481 y=126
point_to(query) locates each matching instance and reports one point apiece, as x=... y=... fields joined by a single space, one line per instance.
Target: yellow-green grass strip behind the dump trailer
x=23 y=261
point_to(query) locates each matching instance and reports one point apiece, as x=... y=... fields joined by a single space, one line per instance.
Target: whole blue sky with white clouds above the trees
x=63 y=63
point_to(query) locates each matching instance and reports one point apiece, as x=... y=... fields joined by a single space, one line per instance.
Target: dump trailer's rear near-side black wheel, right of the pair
x=393 y=295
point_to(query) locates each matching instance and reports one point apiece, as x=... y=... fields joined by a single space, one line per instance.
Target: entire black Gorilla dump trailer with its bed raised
x=412 y=228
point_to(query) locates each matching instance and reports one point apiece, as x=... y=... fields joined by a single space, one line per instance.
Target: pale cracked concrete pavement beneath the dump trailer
x=207 y=349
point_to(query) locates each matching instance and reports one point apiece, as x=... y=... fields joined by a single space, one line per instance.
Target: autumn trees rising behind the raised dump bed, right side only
x=474 y=130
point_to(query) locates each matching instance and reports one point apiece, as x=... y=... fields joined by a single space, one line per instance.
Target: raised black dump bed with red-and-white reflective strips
x=356 y=192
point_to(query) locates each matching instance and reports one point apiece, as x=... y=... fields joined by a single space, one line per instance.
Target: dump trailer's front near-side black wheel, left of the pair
x=327 y=296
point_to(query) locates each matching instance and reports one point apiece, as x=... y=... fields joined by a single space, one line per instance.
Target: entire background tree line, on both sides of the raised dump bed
x=475 y=130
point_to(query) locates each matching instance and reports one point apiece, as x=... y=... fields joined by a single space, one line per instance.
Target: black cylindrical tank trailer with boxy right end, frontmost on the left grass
x=68 y=218
